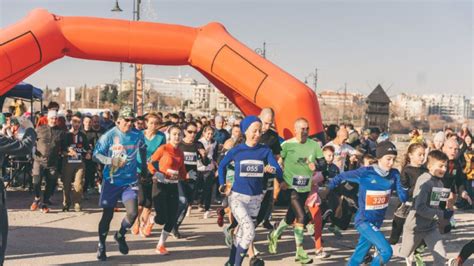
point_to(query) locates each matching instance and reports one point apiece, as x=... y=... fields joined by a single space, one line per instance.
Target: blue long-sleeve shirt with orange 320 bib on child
x=375 y=189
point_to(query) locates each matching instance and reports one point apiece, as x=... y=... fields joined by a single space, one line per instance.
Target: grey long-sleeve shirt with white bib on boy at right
x=428 y=193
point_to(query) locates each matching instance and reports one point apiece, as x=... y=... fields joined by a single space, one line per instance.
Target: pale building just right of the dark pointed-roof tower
x=408 y=107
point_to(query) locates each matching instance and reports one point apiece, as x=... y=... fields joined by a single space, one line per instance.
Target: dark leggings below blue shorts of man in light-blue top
x=131 y=208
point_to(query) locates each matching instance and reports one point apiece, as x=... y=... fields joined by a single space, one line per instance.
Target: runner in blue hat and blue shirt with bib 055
x=251 y=160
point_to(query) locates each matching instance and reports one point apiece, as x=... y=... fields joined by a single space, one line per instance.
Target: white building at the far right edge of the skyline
x=457 y=107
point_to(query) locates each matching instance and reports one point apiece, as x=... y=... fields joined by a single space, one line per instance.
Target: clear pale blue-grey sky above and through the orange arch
x=416 y=47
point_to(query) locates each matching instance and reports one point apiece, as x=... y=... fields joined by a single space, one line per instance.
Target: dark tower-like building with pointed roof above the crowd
x=378 y=109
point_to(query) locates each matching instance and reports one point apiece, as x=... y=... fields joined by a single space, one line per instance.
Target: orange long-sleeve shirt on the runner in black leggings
x=169 y=161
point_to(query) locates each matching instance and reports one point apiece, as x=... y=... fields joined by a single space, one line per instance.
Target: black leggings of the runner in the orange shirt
x=165 y=200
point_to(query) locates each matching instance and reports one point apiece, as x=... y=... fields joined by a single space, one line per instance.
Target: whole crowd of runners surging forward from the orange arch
x=163 y=167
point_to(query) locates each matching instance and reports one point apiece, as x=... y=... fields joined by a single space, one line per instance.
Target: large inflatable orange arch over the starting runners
x=248 y=80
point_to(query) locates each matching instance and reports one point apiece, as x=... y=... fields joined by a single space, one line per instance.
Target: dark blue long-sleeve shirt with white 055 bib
x=249 y=168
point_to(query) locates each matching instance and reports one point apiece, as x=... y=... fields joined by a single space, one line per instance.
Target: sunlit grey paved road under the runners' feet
x=71 y=238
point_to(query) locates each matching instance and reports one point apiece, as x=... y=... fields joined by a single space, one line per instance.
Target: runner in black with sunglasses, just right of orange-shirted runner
x=193 y=152
